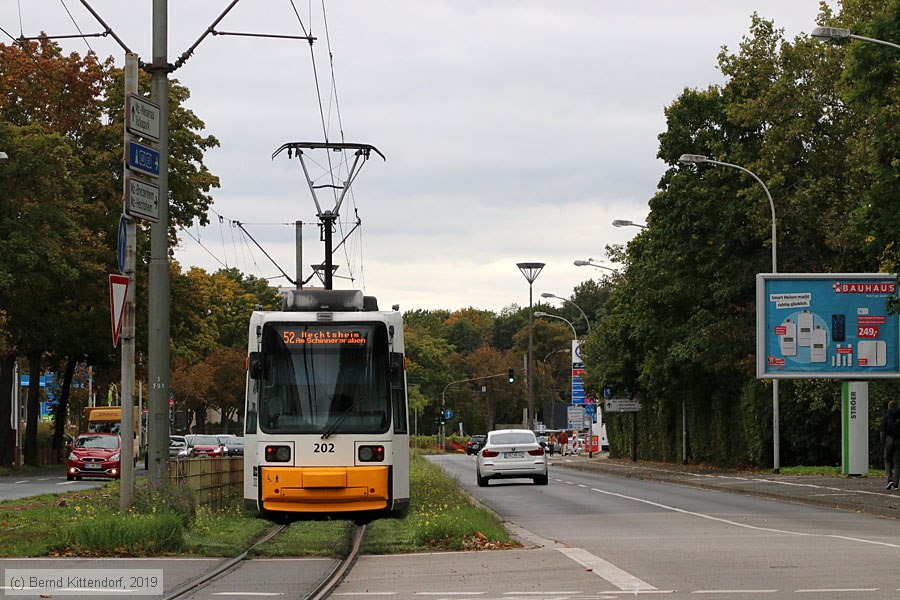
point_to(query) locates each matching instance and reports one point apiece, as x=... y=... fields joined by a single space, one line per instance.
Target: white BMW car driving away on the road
x=511 y=453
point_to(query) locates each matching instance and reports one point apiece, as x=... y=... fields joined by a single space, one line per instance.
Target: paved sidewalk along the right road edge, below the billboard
x=855 y=494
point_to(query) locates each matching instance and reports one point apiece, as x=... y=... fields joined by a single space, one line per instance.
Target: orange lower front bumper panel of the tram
x=324 y=489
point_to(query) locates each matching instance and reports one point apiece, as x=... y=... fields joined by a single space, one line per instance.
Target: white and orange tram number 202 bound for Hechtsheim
x=326 y=419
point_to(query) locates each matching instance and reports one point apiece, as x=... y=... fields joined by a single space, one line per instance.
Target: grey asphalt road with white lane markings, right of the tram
x=592 y=535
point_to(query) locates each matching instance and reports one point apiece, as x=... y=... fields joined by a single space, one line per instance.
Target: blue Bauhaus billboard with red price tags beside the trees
x=834 y=326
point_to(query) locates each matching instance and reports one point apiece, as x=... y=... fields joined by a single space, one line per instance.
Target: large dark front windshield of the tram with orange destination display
x=324 y=378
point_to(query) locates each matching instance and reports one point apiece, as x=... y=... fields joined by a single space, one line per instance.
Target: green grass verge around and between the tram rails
x=165 y=521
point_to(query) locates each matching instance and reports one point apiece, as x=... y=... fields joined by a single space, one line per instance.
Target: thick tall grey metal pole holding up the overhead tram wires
x=159 y=285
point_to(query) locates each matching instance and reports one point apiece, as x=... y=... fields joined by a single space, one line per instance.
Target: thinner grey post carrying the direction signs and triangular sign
x=126 y=427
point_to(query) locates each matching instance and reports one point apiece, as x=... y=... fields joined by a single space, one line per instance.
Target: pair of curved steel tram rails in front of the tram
x=320 y=589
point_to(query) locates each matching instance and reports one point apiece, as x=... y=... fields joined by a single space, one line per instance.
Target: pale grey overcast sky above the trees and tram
x=514 y=130
